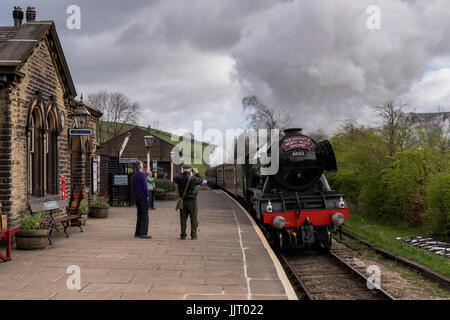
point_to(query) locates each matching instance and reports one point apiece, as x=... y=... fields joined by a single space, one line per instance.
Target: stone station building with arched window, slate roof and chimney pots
x=37 y=102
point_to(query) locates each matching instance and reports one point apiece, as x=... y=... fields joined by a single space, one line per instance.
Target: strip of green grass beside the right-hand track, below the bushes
x=384 y=234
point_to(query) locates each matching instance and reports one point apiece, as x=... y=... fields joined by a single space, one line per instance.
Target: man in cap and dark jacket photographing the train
x=187 y=188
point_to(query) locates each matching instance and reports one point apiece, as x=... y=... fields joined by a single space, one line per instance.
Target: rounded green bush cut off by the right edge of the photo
x=438 y=201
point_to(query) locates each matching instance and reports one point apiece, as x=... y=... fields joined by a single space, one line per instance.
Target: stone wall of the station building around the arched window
x=41 y=74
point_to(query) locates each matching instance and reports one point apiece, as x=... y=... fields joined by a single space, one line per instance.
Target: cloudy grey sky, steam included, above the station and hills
x=317 y=61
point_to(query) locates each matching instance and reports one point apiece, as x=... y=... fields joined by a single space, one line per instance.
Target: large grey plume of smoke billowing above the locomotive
x=318 y=61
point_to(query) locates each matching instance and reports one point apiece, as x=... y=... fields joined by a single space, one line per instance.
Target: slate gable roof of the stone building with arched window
x=18 y=43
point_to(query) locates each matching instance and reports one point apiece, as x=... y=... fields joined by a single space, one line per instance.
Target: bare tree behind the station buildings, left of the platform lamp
x=117 y=109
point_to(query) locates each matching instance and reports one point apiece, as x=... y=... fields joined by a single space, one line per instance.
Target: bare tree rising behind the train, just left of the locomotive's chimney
x=261 y=116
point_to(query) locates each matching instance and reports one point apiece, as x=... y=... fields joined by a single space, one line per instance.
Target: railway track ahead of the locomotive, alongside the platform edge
x=325 y=276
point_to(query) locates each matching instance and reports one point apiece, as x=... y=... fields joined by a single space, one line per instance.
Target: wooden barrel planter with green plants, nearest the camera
x=33 y=233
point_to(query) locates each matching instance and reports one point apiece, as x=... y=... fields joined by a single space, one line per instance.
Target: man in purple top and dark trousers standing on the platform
x=142 y=197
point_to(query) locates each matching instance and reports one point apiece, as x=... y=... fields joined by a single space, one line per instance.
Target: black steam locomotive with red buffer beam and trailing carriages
x=294 y=207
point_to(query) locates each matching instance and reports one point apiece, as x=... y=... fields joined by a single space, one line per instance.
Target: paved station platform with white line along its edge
x=230 y=259
